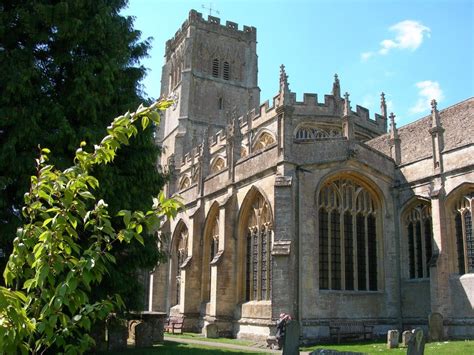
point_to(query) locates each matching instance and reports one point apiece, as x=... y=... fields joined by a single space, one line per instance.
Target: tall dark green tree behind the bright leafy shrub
x=67 y=68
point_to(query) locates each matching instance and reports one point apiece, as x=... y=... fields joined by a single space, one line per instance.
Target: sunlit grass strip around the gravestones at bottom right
x=439 y=348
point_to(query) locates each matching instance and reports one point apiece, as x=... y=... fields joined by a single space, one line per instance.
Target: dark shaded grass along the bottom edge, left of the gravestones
x=173 y=348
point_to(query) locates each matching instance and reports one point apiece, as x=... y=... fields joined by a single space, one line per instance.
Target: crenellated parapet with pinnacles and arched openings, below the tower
x=310 y=121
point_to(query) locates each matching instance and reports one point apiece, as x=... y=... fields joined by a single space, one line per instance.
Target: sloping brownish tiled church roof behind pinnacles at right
x=415 y=138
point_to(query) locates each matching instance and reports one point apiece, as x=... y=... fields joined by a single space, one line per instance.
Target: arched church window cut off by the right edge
x=464 y=237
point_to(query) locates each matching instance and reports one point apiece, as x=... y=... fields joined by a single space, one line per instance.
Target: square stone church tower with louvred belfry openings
x=211 y=71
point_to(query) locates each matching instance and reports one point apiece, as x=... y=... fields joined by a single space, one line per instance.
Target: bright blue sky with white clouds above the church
x=412 y=50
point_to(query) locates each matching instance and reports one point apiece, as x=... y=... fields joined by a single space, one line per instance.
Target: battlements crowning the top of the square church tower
x=248 y=33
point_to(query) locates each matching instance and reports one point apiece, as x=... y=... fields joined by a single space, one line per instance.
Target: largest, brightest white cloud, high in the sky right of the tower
x=408 y=35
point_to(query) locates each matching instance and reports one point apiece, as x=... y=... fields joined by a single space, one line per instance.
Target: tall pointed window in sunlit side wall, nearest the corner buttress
x=258 y=259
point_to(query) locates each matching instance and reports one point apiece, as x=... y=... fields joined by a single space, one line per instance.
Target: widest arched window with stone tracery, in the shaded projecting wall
x=347 y=237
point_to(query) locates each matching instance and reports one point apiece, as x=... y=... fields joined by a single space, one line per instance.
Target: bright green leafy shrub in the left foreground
x=51 y=271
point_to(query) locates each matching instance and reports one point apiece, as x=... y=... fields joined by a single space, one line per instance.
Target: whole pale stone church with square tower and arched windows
x=308 y=207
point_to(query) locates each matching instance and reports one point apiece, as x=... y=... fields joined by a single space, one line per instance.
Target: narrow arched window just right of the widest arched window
x=419 y=232
